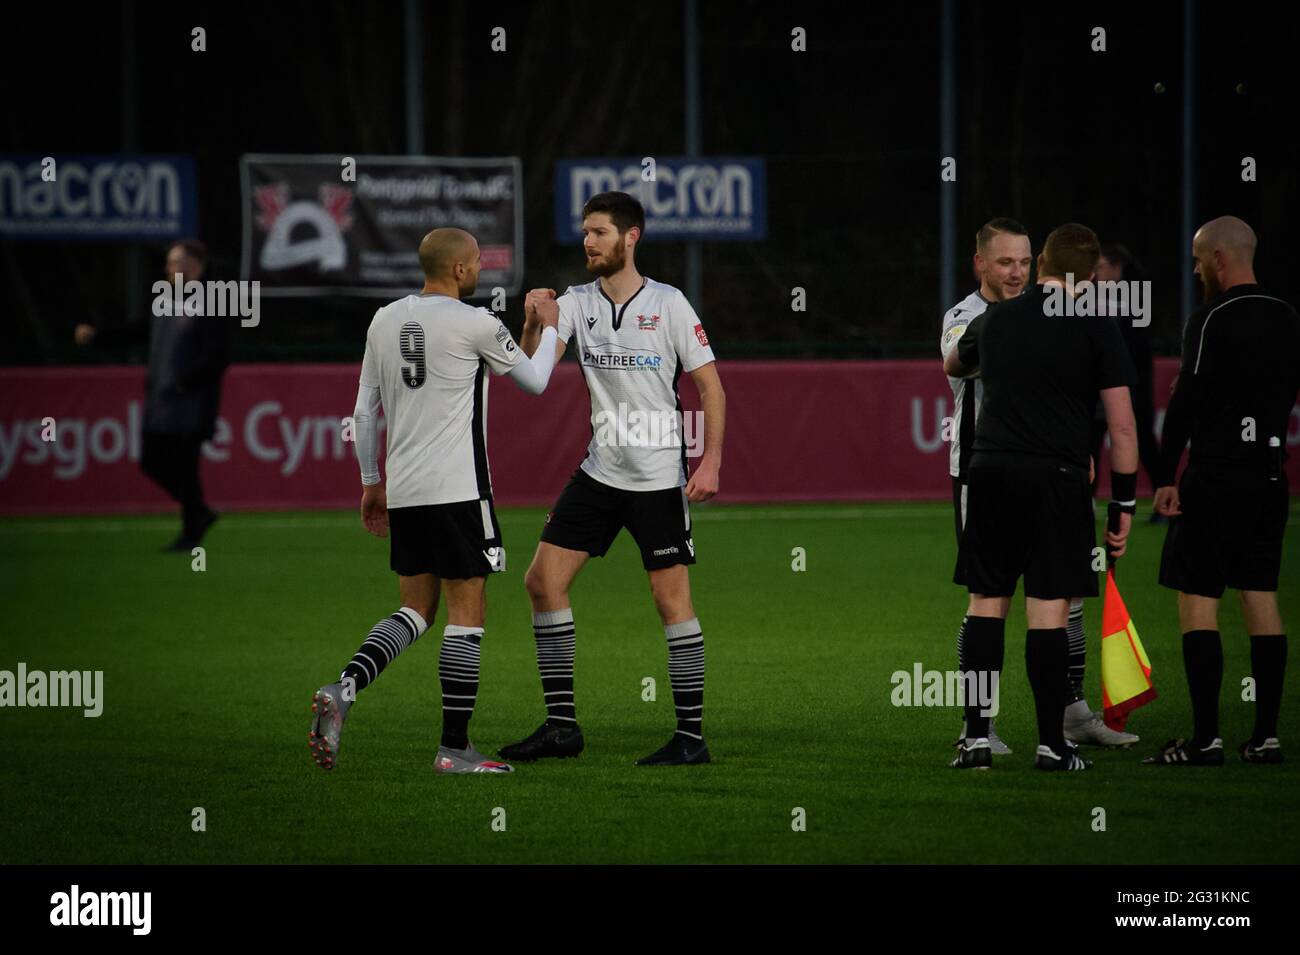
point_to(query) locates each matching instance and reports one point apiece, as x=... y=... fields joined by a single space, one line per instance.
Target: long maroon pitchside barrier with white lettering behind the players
x=796 y=431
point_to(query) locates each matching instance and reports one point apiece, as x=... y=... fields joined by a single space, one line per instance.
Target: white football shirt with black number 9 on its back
x=430 y=355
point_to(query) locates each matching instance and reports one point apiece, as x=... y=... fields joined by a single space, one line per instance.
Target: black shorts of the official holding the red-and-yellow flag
x=1033 y=519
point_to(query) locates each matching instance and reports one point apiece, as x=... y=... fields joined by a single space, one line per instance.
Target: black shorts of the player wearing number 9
x=450 y=541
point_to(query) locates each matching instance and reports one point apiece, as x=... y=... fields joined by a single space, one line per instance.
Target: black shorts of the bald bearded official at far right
x=1229 y=535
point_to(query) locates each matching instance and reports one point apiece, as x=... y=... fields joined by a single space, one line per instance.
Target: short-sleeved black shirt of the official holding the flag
x=1042 y=376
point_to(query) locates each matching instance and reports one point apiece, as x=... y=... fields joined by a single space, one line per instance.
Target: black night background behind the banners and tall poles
x=1048 y=132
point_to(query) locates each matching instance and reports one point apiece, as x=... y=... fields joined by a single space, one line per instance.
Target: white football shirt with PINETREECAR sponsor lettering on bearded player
x=632 y=357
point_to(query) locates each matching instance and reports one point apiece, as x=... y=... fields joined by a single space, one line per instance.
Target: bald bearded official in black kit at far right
x=1234 y=396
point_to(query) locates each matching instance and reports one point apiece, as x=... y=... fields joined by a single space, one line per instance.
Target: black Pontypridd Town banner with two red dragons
x=353 y=224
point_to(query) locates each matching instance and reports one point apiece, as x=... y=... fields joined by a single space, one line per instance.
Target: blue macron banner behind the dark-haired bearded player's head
x=705 y=198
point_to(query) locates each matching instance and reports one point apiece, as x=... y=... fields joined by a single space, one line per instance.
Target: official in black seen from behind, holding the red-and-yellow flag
x=1029 y=509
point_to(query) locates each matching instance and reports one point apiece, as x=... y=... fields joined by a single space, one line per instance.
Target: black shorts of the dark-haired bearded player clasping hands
x=590 y=515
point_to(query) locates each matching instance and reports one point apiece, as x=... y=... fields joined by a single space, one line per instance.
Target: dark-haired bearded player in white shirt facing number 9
x=634 y=338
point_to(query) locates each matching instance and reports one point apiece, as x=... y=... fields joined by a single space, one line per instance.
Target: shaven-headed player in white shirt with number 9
x=427 y=362
